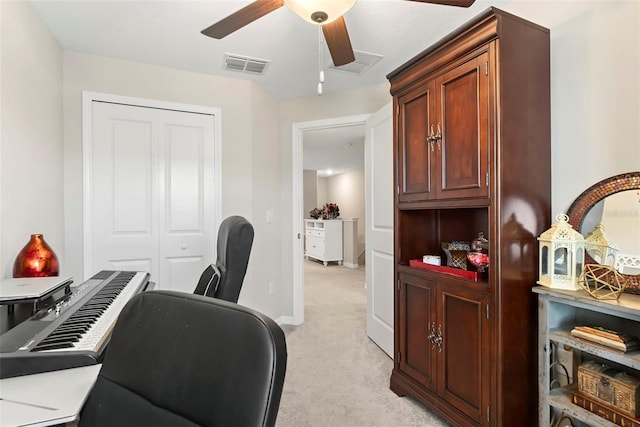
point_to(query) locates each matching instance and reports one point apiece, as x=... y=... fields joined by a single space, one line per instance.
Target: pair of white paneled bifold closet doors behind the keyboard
x=151 y=193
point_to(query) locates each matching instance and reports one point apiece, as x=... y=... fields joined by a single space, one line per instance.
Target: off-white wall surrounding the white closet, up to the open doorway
x=250 y=161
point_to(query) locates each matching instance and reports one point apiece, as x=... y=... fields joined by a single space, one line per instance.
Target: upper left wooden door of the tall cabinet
x=414 y=160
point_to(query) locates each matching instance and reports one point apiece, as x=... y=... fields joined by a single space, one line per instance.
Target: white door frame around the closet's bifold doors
x=87 y=153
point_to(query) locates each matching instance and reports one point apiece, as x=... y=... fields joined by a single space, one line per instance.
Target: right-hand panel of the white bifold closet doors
x=186 y=226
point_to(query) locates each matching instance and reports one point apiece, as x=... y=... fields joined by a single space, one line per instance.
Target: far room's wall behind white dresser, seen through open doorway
x=347 y=191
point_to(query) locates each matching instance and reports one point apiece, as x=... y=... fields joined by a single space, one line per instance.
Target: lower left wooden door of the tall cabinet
x=416 y=317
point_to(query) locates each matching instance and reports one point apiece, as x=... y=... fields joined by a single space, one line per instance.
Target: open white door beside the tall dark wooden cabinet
x=379 y=227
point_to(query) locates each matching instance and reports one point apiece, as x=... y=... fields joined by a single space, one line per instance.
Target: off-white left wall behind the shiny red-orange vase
x=31 y=153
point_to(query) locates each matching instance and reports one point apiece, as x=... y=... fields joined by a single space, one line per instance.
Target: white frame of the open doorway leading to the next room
x=297 y=137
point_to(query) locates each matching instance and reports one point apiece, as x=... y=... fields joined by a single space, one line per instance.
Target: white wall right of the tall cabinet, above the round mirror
x=595 y=90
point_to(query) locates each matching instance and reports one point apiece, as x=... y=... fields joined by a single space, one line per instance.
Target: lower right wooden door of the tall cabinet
x=463 y=374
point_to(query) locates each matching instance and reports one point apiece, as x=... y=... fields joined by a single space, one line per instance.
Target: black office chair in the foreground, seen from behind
x=178 y=359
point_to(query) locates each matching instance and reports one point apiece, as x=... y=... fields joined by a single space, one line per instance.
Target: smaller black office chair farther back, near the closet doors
x=223 y=280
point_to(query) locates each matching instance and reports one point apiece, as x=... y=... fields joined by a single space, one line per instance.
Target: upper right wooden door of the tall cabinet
x=463 y=129
